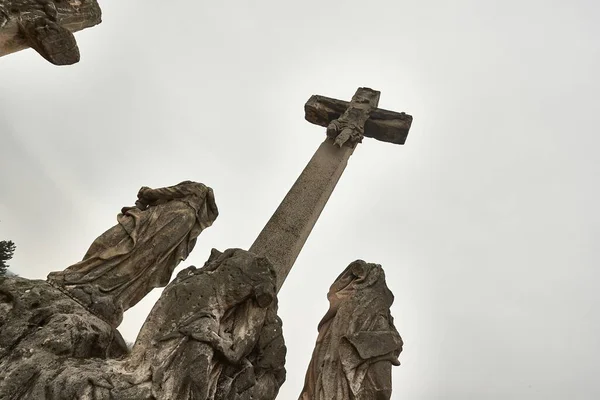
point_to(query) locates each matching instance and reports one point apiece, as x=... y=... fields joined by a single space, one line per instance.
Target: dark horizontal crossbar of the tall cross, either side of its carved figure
x=383 y=125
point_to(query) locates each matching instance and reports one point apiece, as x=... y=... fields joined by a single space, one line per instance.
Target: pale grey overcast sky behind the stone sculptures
x=486 y=221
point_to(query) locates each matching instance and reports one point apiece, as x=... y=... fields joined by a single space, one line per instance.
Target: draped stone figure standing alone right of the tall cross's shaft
x=357 y=342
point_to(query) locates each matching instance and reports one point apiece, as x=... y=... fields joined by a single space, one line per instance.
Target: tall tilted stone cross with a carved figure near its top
x=347 y=123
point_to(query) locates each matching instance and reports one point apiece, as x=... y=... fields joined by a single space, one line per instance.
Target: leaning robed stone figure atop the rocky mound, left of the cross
x=139 y=253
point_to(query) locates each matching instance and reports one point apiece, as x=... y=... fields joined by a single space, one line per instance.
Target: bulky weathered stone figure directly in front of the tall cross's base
x=204 y=334
